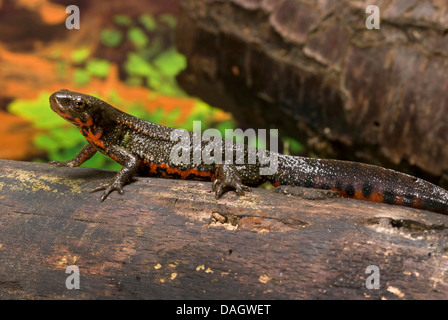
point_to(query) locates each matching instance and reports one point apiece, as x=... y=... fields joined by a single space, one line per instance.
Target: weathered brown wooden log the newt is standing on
x=170 y=239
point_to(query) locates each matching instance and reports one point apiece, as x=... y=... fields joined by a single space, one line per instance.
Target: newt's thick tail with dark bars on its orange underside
x=362 y=182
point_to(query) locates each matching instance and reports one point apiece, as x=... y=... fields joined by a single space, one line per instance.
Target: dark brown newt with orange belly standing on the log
x=144 y=148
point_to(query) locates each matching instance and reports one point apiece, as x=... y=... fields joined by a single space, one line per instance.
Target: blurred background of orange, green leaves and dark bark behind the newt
x=312 y=69
